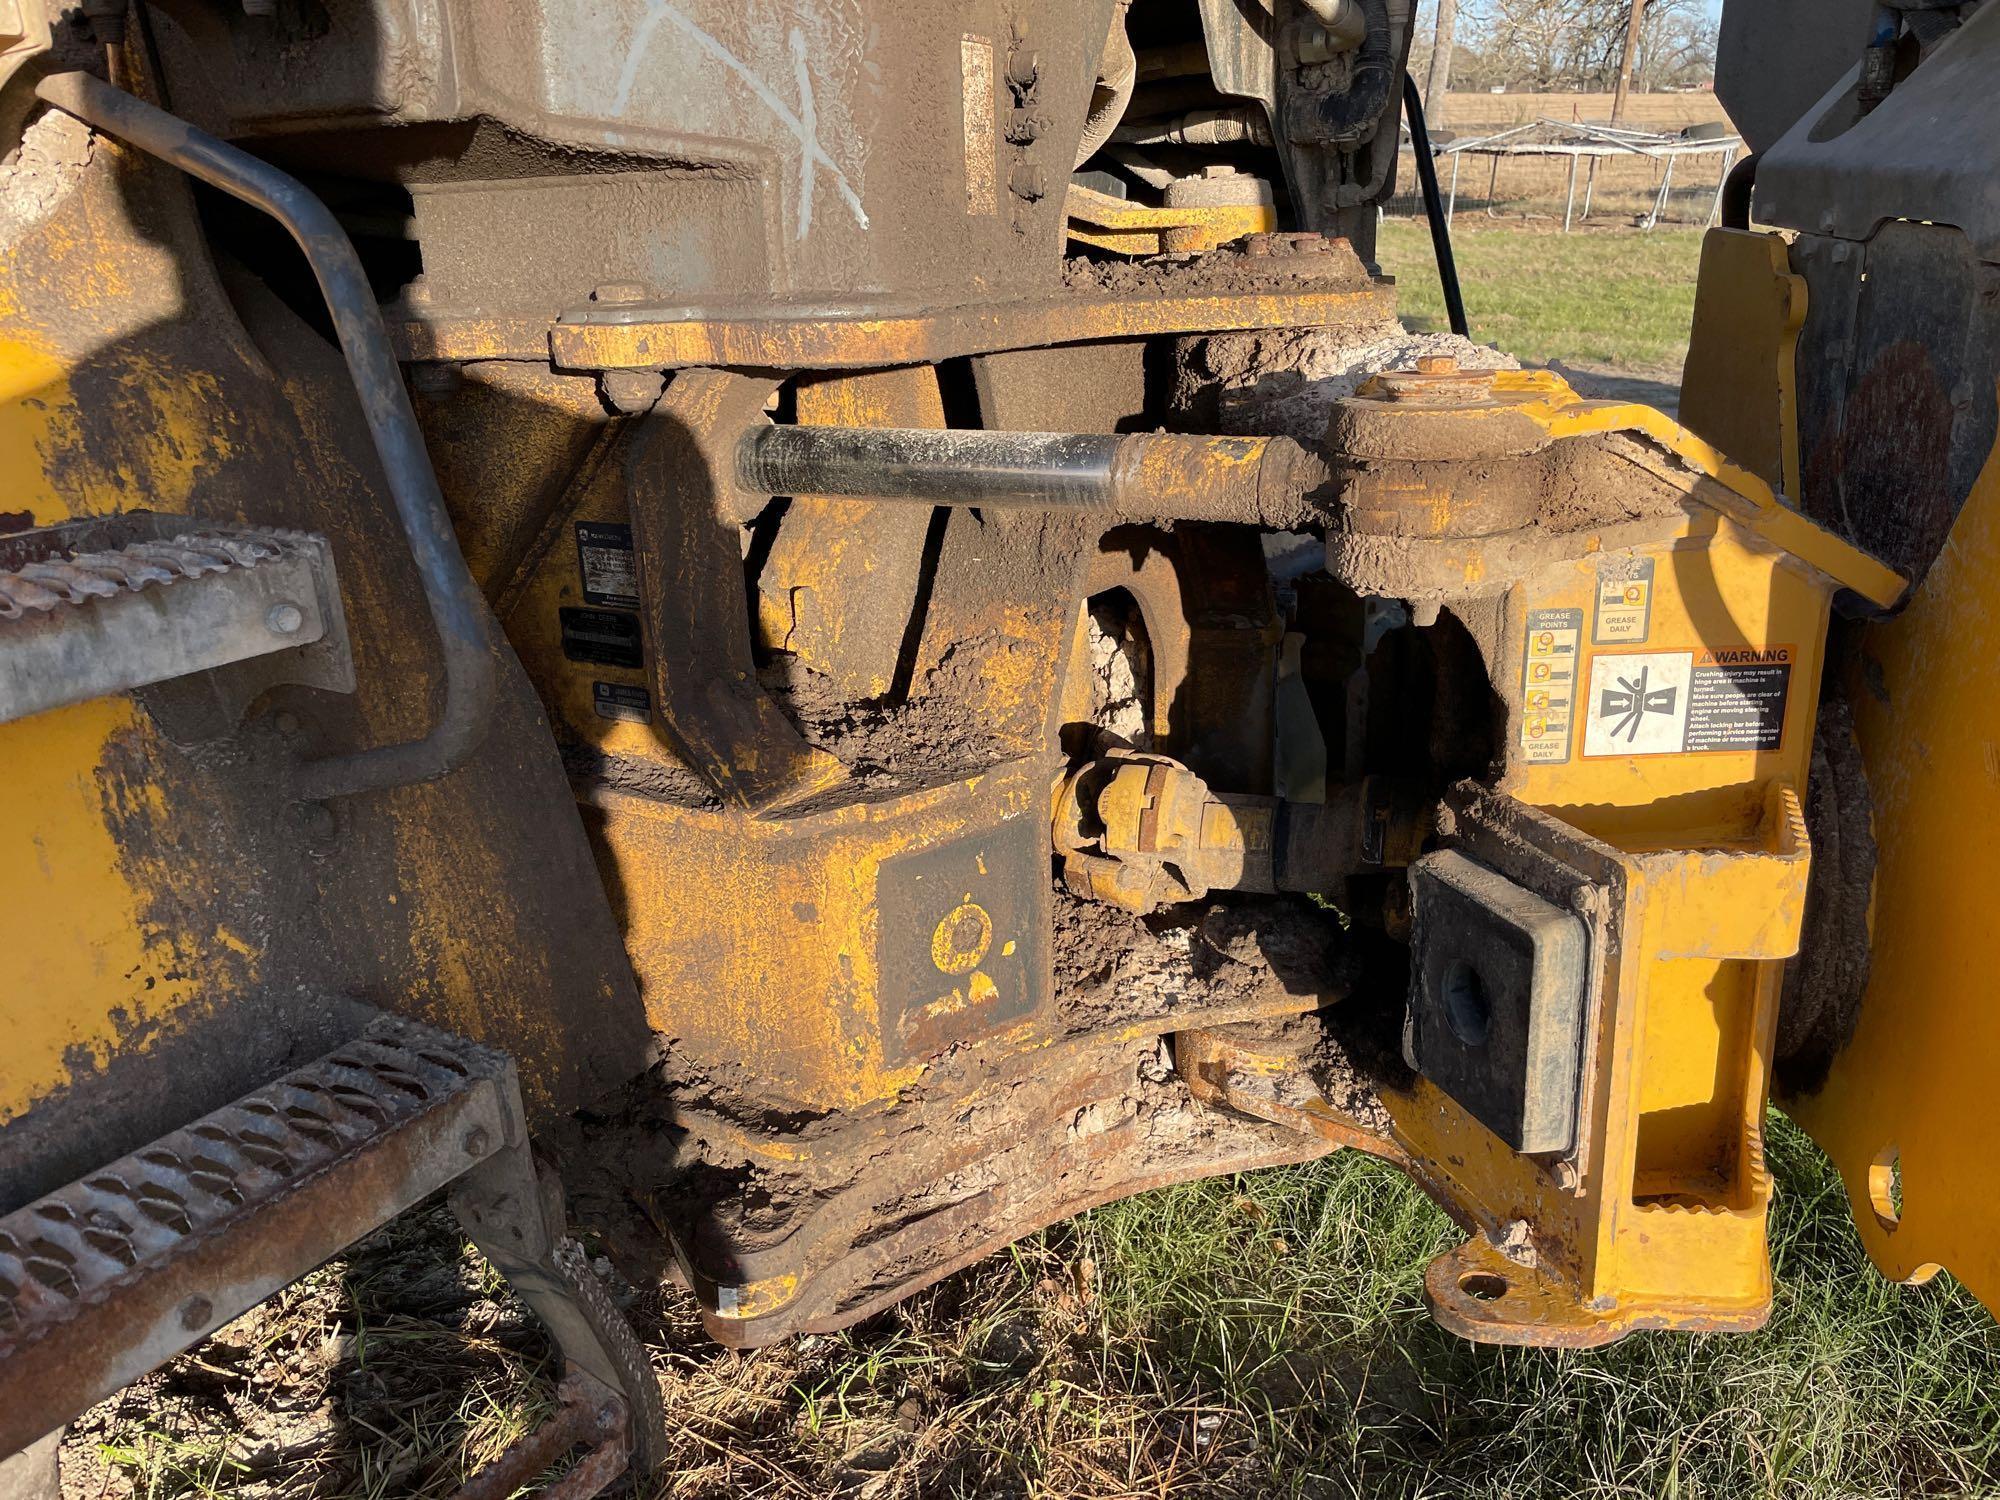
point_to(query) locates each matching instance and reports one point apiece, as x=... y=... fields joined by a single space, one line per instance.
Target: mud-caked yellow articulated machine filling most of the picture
x=795 y=639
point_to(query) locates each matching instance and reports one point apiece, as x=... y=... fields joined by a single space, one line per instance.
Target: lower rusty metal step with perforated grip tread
x=113 y=1275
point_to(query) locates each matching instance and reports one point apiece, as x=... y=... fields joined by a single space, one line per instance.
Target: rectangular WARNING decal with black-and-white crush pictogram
x=1683 y=703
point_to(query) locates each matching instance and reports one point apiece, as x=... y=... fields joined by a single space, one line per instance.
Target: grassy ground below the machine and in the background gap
x=1253 y=1337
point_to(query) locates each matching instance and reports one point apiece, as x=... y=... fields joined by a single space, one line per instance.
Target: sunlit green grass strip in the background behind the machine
x=1615 y=299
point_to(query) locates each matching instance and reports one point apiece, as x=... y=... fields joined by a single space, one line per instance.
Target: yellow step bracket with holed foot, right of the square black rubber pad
x=1659 y=1223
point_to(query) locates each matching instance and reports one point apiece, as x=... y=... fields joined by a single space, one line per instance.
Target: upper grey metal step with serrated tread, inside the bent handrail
x=119 y=603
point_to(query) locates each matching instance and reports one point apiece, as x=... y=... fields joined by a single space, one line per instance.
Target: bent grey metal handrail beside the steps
x=457 y=607
